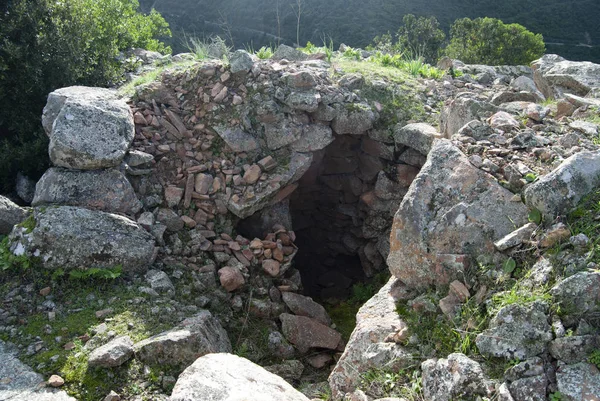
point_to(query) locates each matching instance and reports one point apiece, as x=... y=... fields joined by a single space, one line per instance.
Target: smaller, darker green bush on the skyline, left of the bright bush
x=421 y=37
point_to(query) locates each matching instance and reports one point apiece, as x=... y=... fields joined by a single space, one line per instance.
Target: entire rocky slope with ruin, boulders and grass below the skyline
x=228 y=190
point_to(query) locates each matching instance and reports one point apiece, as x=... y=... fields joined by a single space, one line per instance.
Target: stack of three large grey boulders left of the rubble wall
x=80 y=202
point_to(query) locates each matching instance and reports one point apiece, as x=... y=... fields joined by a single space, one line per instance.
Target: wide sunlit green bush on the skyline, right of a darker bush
x=490 y=41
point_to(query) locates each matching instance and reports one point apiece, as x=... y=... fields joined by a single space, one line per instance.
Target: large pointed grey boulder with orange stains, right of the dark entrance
x=451 y=210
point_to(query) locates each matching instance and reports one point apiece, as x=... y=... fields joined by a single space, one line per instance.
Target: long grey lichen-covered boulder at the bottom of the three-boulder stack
x=74 y=238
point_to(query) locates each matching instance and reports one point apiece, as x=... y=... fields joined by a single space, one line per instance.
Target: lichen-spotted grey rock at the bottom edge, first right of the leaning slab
x=455 y=377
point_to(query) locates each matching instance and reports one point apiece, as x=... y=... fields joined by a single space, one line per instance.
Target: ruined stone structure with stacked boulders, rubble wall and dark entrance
x=263 y=181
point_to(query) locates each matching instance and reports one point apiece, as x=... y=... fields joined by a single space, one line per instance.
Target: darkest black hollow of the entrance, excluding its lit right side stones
x=331 y=217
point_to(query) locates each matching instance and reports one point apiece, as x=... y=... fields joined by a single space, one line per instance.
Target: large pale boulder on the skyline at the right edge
x=556 y=76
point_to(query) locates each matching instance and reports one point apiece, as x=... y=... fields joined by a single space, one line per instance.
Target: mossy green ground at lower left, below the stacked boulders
x=75 y=318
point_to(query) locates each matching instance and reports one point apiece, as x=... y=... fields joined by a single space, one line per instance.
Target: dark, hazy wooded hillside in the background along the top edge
x=570 y=27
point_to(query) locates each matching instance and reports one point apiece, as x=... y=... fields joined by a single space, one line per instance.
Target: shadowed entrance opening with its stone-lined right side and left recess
x=341 y=213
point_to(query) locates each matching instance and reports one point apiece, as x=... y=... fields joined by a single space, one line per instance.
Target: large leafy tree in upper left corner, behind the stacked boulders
x=48 y=44
